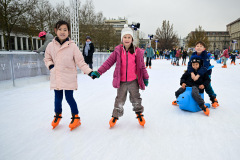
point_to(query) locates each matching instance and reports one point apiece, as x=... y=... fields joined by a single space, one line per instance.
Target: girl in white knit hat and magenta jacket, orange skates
x=130 y=74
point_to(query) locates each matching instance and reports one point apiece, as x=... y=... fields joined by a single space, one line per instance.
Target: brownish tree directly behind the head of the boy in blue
x=198 y=35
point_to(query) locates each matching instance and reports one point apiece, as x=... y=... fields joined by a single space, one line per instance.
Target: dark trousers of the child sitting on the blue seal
x=195 y=95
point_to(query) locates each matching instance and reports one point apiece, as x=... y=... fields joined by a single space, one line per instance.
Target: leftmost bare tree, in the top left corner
x=10 y=14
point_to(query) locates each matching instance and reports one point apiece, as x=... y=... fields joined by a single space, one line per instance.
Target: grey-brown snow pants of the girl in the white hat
x=120 y=100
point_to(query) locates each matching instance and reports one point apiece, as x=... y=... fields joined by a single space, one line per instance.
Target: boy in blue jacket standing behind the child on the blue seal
x=202 y=54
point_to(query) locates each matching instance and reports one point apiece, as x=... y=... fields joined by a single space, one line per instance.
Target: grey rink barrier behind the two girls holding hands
x=19 y=64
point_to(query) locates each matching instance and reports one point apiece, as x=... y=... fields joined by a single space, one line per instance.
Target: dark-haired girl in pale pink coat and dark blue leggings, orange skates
x=61 y=57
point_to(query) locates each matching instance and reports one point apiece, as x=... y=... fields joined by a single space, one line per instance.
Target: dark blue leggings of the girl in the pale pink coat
x=69 y=97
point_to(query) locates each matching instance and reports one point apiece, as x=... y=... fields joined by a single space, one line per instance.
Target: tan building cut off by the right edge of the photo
x=234 y=30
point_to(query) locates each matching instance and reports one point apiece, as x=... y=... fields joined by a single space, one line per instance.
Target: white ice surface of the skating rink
x=169 y=133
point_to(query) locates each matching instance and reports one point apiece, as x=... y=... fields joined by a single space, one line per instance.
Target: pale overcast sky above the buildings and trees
x=185 y=15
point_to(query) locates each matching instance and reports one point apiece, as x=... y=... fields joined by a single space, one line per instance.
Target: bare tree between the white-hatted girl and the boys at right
x=166 y=36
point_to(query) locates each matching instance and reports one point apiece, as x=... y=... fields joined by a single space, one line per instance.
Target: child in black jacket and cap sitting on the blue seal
x=197 y=86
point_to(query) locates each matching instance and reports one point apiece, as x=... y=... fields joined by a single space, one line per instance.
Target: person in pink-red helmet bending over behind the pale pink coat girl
x=47 y=38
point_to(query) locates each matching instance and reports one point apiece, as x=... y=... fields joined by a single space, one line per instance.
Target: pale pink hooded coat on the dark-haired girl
x=63 y=76
